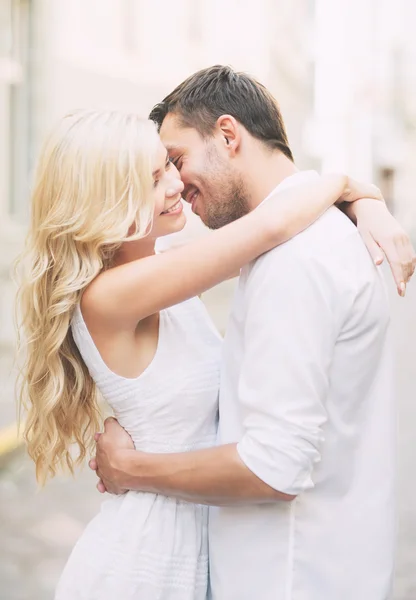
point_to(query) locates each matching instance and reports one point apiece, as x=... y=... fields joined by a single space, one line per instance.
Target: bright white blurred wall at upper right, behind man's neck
x=365 y=95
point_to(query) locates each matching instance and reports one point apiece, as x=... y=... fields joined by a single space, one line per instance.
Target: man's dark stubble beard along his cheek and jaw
x=226 y=196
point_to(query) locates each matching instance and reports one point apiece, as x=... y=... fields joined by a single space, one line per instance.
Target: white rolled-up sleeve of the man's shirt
x=289 y=339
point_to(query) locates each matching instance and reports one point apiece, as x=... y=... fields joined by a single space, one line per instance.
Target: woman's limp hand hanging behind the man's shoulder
x=383 y=235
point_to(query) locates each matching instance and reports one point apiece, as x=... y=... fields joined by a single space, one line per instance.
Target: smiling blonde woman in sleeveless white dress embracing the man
x=104 y=316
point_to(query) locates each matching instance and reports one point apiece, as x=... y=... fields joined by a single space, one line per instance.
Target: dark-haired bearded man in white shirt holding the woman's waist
x=303 y=477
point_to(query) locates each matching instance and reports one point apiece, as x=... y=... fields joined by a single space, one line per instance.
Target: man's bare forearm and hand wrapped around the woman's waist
x=215 y=476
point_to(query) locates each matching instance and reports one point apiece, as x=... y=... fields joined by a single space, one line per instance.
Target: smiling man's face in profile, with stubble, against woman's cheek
x=213 y=185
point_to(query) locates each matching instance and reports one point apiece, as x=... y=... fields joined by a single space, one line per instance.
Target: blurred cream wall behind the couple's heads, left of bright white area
x=61 y=55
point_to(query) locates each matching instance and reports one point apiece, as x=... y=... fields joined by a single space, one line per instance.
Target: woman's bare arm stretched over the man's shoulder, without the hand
x=125 y=294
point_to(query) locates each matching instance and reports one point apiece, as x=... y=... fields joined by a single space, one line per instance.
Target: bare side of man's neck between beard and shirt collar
x=264 y=173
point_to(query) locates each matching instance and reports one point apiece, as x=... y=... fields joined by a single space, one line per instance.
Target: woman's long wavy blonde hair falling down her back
x=91 y=185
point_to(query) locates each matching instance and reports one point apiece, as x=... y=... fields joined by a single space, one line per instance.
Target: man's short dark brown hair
x=206 y=95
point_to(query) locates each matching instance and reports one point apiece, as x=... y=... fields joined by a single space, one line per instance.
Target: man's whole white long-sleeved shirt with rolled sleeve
x=306 y=392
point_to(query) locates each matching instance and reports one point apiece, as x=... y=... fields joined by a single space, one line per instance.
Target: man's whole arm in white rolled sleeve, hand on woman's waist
x=289 y=328
